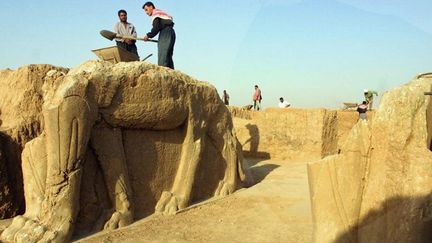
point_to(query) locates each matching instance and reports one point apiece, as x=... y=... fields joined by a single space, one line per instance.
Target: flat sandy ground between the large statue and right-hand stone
x=275 y=209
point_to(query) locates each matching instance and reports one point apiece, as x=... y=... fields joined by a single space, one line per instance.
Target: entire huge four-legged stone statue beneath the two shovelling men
x=161 y=140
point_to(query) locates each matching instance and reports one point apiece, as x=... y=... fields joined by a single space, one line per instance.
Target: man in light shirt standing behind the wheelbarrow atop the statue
x=125 y=28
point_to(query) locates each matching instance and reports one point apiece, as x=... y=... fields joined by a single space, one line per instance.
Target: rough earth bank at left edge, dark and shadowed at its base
x=20 y=121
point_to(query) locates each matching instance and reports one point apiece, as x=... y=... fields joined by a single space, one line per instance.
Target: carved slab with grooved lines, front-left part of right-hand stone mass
x=336 y=186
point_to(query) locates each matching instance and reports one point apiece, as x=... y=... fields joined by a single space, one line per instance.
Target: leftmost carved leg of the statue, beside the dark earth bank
x=34 y=174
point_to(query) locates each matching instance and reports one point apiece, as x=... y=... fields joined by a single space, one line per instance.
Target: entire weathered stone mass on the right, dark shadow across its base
x=379 y=188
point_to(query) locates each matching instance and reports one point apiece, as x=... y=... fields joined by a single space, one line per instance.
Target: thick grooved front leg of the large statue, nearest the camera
x=67 y=128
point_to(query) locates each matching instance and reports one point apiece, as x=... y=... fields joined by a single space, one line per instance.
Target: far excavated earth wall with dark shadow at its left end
x=292 y=134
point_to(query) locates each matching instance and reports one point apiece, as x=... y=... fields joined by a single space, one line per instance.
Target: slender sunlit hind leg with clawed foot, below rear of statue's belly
x=180 y=194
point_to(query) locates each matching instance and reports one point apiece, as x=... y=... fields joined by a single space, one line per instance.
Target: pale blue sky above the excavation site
x=315 y=53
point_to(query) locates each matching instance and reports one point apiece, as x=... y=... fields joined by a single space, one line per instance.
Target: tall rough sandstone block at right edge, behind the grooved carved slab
x=396 y=204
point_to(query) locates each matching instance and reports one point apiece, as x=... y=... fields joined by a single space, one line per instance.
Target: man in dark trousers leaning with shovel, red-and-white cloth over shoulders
x=163 y=25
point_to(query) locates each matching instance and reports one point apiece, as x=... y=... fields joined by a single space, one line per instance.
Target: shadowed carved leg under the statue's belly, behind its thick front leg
x=108 y=145
